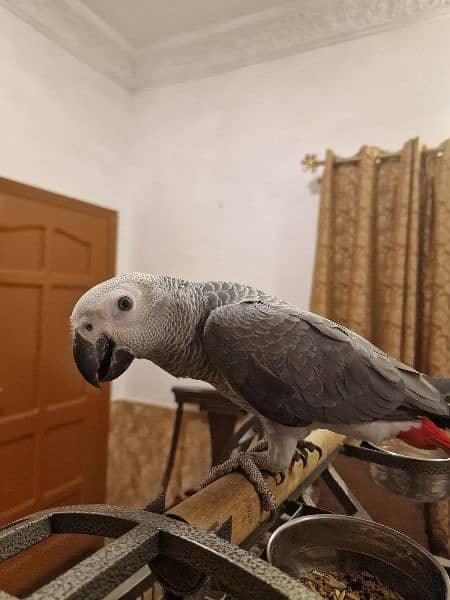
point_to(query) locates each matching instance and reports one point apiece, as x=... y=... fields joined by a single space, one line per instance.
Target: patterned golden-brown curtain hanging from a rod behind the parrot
x=382 y=264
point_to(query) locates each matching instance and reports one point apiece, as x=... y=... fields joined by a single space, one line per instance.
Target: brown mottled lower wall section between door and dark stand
x=139 y=443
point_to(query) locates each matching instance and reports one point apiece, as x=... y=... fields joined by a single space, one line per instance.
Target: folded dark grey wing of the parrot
x=296 y=368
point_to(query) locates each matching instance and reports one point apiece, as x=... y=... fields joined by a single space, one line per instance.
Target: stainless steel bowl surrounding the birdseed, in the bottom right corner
x=348 y=544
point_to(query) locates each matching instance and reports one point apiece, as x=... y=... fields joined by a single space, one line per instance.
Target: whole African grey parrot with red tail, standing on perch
x=294 y=369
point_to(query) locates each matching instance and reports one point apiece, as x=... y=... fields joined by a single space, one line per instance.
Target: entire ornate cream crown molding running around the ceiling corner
x=292 y=28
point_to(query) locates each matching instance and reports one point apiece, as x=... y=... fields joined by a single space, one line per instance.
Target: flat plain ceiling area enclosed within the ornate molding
x=142 y=22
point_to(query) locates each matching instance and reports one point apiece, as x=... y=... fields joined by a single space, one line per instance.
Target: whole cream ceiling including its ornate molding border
x=148 y=43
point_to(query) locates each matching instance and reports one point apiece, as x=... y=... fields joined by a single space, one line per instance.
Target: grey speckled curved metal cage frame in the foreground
x=180 y=555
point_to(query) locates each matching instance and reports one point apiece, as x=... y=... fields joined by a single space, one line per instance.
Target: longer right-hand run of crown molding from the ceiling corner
x=290 y=29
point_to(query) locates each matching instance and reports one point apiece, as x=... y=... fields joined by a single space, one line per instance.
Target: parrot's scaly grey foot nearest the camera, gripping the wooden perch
x=251 y=464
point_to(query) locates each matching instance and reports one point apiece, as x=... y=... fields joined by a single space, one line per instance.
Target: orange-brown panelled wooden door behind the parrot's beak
x=53 y=426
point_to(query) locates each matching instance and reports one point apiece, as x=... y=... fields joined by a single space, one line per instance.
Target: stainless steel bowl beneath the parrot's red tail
x=426 y=478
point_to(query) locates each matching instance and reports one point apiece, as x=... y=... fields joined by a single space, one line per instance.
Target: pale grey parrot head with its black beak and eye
x=113 y=323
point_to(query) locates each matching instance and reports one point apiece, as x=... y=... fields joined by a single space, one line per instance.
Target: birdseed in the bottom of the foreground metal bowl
x=333 y=585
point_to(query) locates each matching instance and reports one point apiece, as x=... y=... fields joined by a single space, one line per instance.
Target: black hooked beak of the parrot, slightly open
x=100 y=362
